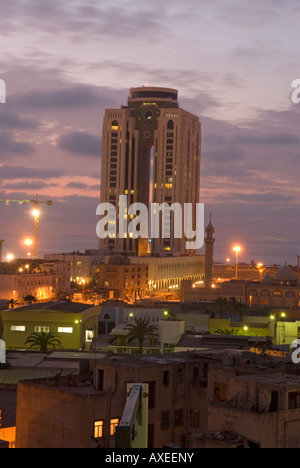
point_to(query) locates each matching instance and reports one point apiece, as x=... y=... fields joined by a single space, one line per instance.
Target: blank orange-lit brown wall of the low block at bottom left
x=50 y=417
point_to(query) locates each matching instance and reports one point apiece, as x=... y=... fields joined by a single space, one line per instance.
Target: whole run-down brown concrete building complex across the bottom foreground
x=211 y=398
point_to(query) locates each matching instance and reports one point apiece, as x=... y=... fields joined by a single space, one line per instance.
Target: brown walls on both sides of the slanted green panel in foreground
x=174 y=392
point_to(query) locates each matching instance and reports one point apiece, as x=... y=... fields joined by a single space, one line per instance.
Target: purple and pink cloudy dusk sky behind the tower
x=233 y=64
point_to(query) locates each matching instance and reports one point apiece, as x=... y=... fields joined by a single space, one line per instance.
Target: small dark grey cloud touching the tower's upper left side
x=81 y=143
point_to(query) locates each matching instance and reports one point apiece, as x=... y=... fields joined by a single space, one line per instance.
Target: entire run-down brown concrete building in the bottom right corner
x=251 y=407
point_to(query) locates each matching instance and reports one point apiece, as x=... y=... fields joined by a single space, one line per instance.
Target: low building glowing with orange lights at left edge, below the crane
x=42 y=279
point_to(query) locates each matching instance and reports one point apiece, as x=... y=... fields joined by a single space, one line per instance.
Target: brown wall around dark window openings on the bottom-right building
x=250 y=413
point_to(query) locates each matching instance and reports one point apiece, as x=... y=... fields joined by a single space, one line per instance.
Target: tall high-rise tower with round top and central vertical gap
x=151 y=152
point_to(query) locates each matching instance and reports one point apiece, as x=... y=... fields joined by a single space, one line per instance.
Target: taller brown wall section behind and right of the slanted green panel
x=171 y=394
